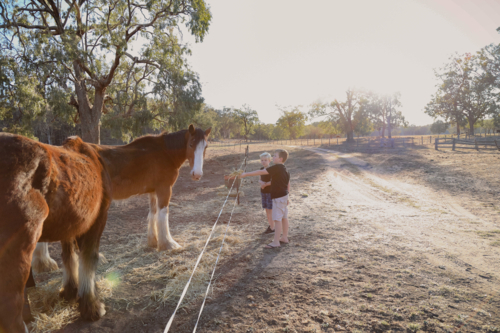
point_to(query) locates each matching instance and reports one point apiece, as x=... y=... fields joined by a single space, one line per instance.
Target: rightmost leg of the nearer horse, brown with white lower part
x=90 y=306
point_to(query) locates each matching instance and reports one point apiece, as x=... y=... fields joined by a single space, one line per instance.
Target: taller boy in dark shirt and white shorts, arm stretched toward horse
x=280 y=187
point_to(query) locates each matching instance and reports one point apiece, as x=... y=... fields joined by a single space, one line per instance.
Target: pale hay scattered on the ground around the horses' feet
x=131 y=263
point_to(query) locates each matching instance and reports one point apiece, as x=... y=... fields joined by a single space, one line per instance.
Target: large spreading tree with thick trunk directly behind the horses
x=80 y=52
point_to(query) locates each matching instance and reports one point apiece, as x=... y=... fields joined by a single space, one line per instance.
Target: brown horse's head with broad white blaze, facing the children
x=197 y=142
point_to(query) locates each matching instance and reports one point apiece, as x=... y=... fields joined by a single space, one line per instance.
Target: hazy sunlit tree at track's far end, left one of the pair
x=341 y=112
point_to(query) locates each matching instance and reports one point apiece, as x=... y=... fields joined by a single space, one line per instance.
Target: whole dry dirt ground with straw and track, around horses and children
x=393 y=241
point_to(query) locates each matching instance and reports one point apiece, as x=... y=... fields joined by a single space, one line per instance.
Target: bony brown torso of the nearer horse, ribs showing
x=67 y=181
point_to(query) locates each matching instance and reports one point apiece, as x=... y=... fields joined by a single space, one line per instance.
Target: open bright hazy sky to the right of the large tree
x=287 y=53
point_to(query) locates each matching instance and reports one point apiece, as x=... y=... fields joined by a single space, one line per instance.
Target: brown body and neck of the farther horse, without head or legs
x=133 y=168
